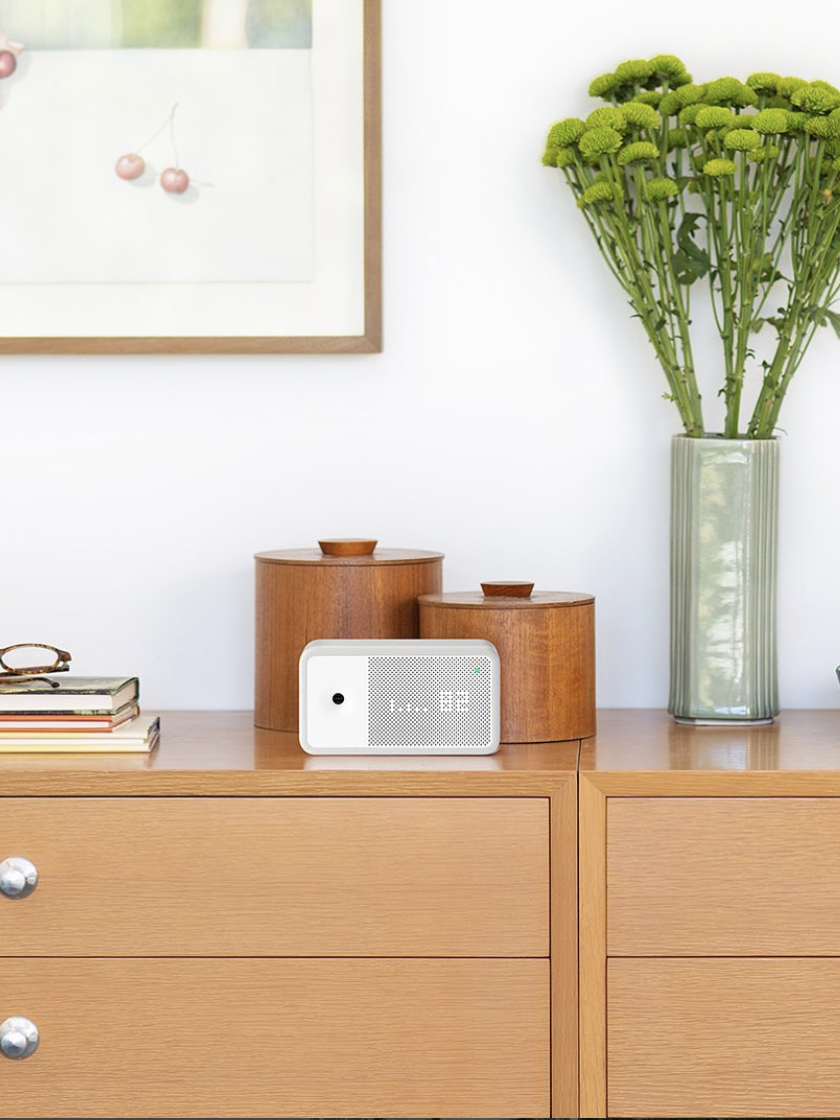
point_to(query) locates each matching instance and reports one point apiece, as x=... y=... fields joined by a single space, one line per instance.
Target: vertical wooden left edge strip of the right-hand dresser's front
x=593 y=949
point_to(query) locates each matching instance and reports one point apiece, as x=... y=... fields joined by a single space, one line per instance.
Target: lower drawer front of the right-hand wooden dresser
x=724 y=1038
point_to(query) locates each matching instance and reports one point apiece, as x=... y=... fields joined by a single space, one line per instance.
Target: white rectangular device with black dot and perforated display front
x=365 y=673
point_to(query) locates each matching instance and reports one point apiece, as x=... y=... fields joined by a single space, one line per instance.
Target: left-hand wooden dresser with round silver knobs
x=230 y=928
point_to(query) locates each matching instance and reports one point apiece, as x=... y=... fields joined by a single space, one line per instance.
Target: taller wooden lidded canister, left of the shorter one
x=343 y=590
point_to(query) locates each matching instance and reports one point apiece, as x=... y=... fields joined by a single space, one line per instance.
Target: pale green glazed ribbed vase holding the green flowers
x=724 y=549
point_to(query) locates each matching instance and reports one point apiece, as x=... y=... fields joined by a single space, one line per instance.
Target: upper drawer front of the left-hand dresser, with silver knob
x=238 y=876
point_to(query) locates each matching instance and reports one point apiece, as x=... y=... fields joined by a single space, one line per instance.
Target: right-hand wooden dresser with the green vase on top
x=711 y=919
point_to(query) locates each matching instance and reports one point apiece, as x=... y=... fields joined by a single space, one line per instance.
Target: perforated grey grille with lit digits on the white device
x=431 y=702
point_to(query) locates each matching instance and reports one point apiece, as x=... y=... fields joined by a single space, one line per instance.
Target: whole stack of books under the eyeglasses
x=85 y=714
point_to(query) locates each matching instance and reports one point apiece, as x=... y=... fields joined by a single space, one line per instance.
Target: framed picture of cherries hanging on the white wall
x=190 y=176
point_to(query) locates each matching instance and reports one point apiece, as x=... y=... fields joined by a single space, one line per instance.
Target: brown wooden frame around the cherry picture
x=368 y=343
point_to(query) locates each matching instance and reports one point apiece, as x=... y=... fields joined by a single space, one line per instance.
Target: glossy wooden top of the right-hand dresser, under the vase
x=650 y=743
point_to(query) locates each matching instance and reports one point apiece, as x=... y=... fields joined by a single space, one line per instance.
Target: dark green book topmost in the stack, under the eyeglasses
x=82 y=696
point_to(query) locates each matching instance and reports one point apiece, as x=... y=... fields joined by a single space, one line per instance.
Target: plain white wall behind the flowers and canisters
x=515 y=421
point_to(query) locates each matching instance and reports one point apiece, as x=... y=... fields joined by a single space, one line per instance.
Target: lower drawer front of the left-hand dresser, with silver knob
x=281 y=1039
